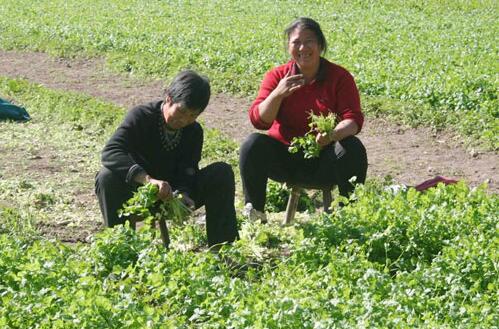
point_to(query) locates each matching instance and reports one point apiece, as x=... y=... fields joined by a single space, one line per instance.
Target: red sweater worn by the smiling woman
x=334 y=90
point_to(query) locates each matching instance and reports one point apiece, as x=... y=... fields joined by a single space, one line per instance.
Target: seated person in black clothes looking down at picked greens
x=160 y=143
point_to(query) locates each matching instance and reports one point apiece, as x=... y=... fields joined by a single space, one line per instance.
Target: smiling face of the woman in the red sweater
x=304 y=48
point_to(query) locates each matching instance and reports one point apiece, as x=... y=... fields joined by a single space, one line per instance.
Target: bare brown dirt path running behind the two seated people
x=408 y=155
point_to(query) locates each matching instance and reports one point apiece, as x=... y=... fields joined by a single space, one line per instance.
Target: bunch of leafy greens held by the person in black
x=146 y=205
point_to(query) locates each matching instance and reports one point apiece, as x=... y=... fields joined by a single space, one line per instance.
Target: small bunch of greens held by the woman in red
x=307 y=143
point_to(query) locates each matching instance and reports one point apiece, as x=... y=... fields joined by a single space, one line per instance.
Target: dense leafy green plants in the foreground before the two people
x=389 y=259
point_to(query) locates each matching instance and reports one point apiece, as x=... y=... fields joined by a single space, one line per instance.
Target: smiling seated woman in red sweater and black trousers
x=288 y=94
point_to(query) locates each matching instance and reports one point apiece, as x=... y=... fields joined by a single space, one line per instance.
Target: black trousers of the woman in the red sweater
x=262 y=157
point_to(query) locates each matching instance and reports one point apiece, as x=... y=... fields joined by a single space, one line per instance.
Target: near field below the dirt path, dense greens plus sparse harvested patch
x=388 y=260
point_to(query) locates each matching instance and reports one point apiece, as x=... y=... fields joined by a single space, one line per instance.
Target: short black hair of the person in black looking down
x=190 y=90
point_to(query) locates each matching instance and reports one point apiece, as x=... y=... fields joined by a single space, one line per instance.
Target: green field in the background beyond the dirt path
x=432 y=63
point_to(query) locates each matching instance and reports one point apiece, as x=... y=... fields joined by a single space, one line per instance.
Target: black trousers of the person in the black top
x=214 y=188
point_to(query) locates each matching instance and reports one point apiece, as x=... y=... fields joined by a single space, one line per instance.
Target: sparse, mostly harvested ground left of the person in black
x=48 y=164
